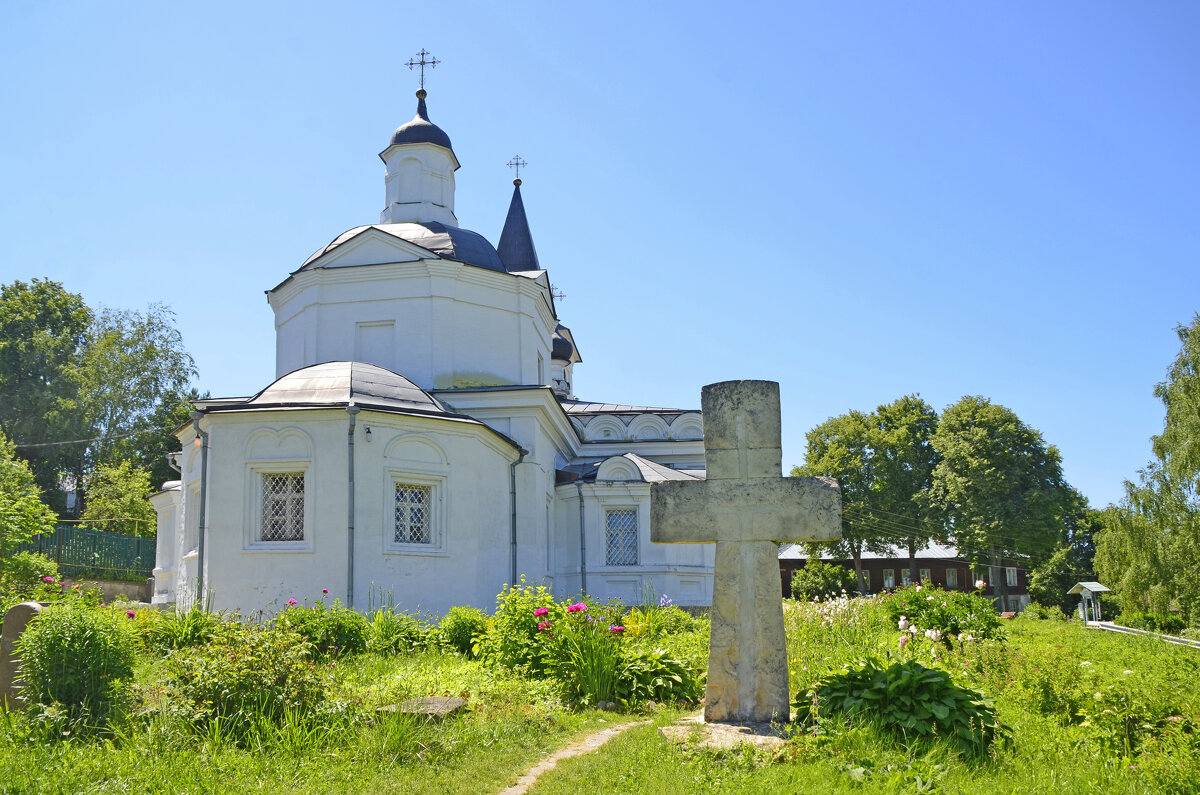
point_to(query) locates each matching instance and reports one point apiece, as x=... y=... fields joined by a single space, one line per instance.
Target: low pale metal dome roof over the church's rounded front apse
x=339 y=384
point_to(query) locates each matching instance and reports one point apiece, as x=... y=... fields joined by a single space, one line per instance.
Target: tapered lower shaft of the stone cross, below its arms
x=747 y=651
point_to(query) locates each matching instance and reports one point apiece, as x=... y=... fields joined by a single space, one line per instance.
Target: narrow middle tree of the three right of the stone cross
x=904 y=461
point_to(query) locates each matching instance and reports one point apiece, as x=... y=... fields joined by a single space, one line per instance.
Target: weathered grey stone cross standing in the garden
x=747 y=507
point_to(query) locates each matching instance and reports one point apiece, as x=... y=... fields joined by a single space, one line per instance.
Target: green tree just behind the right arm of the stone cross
x=841 y=449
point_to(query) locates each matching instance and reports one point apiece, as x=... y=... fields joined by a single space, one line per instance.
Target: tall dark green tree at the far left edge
x=43 y=334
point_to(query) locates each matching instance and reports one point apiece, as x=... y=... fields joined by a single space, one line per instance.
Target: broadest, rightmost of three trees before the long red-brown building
x=998 y=488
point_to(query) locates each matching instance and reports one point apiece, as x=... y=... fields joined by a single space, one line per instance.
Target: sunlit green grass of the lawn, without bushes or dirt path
x=1087 y=712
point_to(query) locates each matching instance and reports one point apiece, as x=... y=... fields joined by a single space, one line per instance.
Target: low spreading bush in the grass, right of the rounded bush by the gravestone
x=248 y=676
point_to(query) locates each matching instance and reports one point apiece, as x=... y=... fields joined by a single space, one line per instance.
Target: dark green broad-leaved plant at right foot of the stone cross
x=910 y=700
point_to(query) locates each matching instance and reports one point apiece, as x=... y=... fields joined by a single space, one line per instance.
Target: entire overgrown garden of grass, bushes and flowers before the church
x=1063 y=709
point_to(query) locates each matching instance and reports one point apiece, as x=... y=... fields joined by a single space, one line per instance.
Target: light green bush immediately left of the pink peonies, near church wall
x=513 y=638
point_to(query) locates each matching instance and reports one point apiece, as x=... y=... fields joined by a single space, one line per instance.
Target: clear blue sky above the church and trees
x=859 y=201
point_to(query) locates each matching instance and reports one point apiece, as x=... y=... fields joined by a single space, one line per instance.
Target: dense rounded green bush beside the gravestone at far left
x=75 y=660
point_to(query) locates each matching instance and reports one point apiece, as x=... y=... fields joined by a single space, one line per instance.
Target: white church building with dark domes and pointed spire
x=423 y=439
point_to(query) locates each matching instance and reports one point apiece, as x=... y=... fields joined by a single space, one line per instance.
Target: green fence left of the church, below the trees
x=81 y=552
